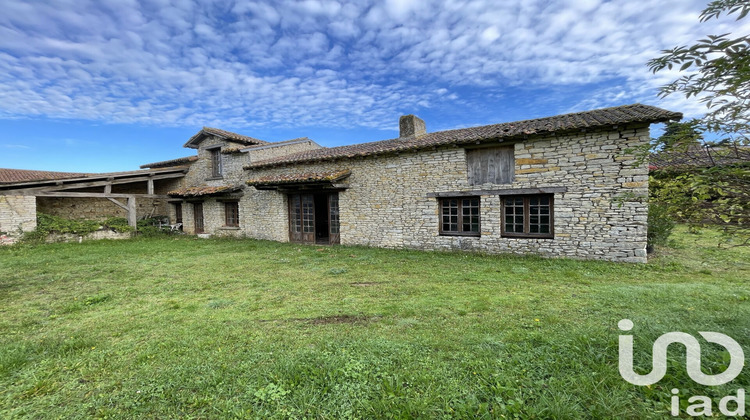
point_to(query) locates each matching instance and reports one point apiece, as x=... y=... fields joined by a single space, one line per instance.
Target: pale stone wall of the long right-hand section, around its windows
x=601 y=216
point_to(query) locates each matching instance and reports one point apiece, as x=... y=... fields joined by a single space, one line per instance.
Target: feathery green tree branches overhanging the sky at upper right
x=720 y=77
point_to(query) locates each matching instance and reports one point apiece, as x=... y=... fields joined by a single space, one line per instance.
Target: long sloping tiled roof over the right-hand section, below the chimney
x=560 y=123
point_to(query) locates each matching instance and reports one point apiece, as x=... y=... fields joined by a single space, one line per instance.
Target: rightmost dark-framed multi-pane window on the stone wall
x=528 y=216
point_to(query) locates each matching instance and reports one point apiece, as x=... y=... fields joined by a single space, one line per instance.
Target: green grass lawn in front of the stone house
x=168 y=328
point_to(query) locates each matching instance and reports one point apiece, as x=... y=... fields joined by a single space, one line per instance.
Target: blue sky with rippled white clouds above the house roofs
x=108 y=85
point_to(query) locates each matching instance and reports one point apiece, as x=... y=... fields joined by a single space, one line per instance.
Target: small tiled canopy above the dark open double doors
x=303 y=181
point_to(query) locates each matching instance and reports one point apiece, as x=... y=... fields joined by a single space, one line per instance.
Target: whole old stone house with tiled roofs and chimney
x=568 y=185
